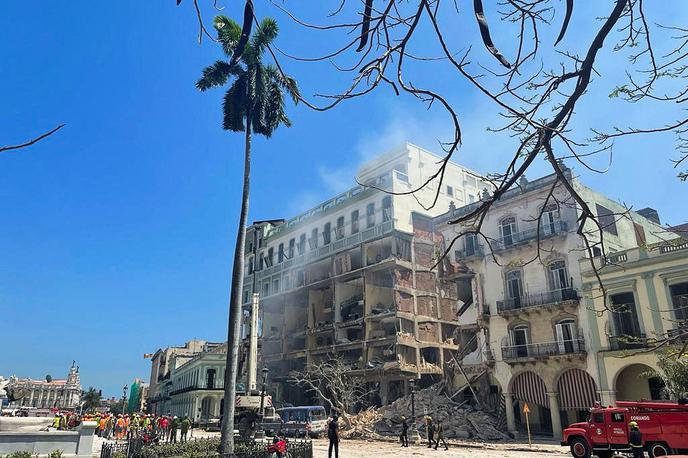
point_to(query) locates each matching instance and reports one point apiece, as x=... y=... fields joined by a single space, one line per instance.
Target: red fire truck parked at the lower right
x=664 y=426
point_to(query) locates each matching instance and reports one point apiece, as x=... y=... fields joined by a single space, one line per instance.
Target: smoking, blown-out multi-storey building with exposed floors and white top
x=353 y=279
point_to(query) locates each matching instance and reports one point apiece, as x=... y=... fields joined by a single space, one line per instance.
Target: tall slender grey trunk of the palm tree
x=227 y=439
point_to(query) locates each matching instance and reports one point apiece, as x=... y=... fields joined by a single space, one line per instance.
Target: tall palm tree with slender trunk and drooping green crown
x=253 y=103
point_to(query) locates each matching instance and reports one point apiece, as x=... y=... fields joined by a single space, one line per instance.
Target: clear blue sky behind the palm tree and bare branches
x=116 y=233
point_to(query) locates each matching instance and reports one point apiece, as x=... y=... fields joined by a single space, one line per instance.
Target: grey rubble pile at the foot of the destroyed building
x=459 y=420
